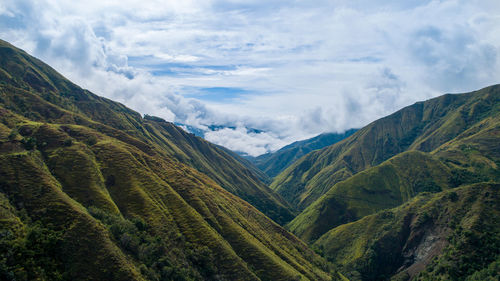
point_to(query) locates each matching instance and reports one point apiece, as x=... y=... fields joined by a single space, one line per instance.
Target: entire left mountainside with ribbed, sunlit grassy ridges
x=90 y=190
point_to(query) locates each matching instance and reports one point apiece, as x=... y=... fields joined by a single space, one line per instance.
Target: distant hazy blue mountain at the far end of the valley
x=274 y=163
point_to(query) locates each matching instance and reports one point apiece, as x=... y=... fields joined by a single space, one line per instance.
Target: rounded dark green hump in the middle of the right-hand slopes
x=382 y=187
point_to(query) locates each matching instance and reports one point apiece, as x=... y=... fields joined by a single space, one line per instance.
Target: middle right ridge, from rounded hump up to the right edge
x=472 y=156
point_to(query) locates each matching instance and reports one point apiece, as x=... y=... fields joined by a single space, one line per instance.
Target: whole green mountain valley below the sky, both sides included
x=93 y=190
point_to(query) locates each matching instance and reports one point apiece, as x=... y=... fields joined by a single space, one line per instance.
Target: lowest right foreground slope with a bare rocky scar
x=452 y=235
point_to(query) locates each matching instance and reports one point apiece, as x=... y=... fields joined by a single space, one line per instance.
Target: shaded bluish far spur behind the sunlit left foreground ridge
x=225 y=167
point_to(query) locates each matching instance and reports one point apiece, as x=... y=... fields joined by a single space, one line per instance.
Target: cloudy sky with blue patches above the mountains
x=268 y=72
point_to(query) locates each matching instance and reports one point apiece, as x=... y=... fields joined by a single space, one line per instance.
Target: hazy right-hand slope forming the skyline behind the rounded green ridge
x=424 y=126
